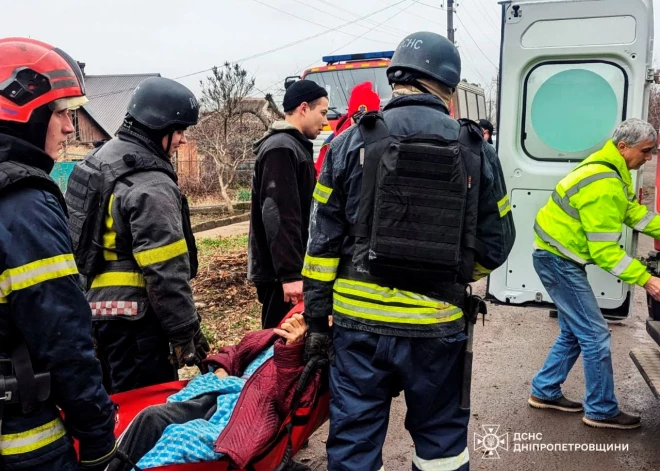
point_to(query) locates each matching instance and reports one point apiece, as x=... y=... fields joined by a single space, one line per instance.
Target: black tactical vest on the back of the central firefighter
x=417 y=219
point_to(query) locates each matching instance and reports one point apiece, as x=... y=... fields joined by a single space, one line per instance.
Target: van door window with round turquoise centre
x=572 y=108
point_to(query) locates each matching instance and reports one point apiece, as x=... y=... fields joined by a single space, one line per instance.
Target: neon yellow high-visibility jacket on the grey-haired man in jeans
x=584 y=219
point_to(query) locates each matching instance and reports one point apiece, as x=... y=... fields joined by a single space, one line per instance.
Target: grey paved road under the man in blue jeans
x=508 y=352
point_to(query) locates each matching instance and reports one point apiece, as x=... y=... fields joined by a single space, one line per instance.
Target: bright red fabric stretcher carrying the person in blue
x=301 y=423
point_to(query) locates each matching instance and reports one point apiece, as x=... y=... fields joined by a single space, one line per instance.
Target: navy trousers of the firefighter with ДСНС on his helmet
x=369 y=370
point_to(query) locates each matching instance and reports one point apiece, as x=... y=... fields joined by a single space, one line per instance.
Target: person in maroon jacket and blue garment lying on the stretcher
x=233 y=411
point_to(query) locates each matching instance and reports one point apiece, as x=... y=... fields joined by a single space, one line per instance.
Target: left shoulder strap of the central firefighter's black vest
x=377 y=138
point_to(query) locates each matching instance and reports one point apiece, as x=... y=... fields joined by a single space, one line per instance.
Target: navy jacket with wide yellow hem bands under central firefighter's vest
x=390 y=310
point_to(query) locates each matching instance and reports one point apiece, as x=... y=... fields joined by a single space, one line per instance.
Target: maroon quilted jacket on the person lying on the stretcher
x=266 y=398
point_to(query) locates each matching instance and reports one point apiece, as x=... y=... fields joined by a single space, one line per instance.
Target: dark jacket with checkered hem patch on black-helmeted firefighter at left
x=147 y=265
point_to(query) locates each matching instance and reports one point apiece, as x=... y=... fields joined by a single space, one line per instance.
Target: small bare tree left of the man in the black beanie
x=230 y=122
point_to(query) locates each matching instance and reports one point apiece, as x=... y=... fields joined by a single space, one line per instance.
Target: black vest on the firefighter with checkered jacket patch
x=90 y=187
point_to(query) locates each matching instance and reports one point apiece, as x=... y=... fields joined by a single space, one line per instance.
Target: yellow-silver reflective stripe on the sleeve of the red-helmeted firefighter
x=25 y=276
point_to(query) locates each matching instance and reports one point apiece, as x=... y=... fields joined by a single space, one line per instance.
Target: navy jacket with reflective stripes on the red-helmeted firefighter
x=42 y=304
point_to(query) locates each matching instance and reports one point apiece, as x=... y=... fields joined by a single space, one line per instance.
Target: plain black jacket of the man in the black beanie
x=282 y=187
